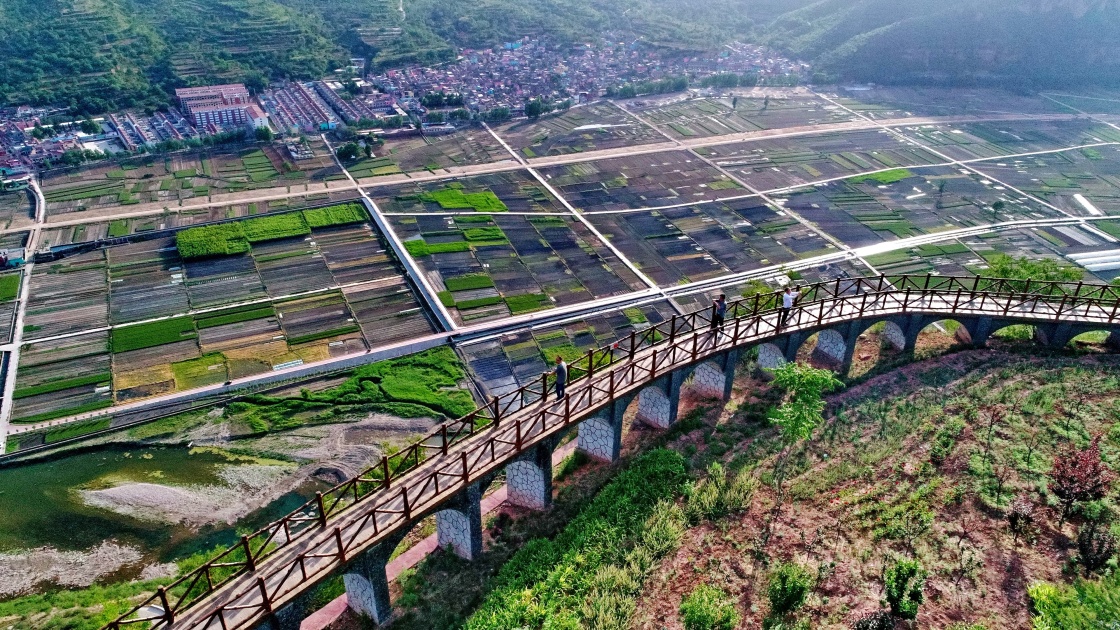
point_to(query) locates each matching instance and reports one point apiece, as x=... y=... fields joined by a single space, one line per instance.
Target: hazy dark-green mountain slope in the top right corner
x=1010 y=43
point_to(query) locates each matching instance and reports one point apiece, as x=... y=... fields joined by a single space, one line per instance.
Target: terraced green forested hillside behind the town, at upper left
x=97 y=55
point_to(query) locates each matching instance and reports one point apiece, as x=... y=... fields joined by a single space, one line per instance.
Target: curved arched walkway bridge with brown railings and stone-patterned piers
x=353 y=529
